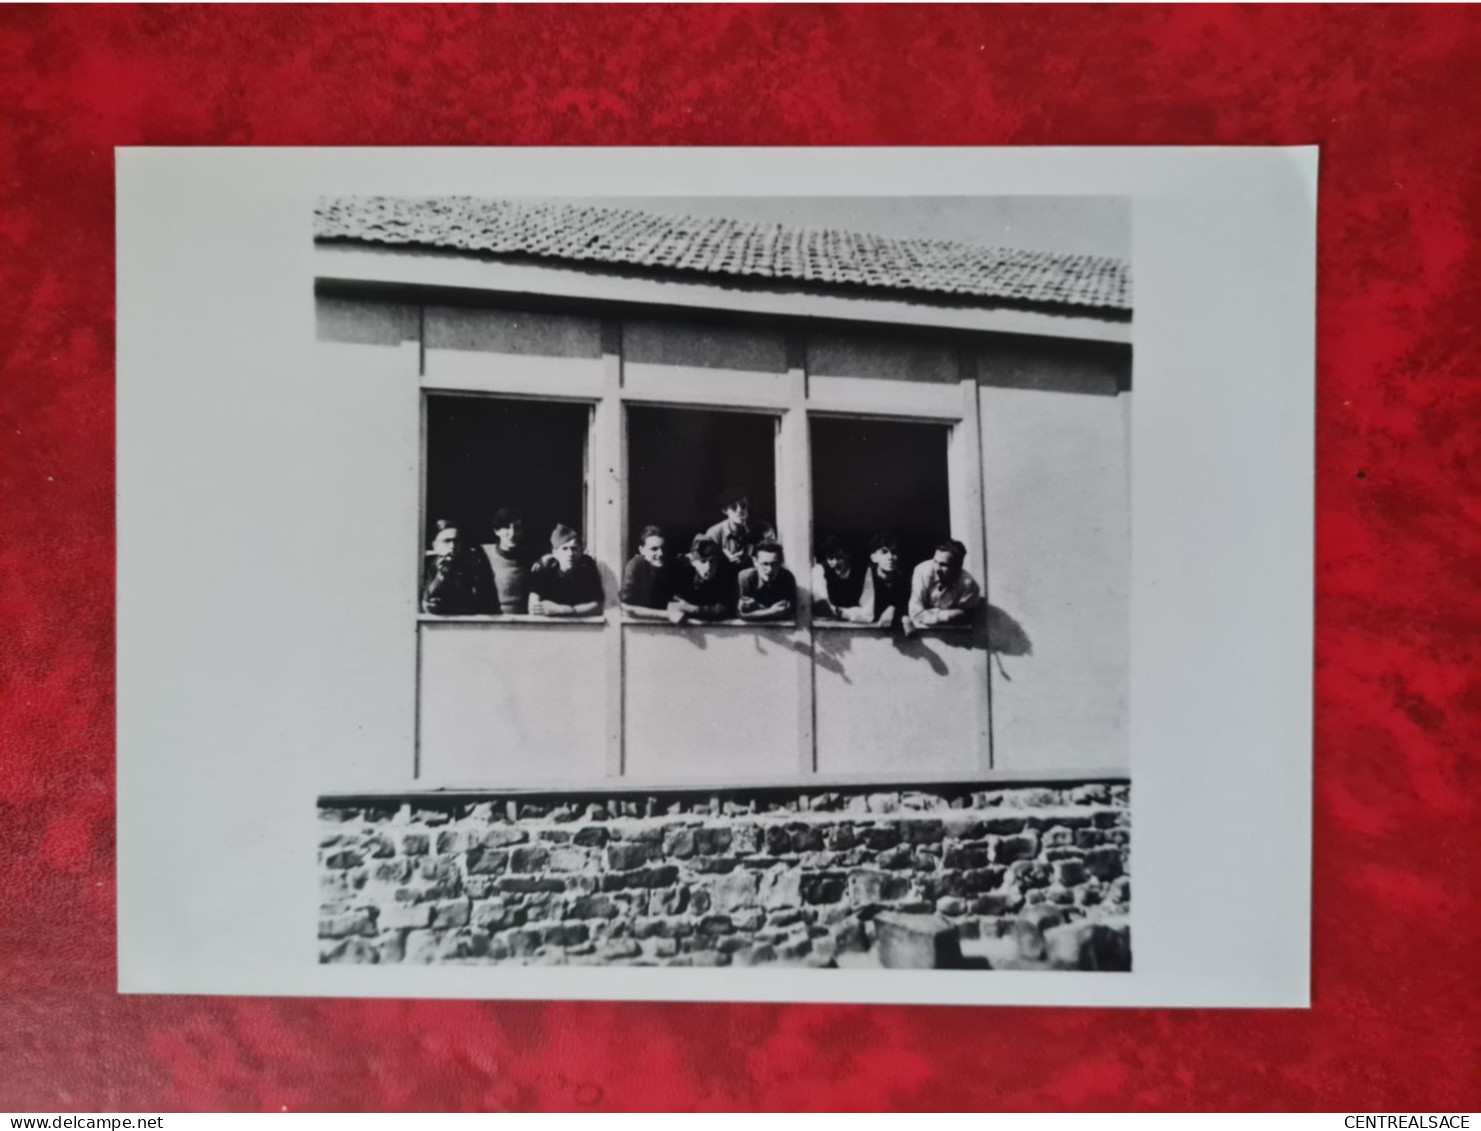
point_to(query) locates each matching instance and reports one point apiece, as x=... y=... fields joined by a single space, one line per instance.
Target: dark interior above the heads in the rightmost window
x=873 y=476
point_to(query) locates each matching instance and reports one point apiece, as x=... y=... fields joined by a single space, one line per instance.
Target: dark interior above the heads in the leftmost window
x=485 y=454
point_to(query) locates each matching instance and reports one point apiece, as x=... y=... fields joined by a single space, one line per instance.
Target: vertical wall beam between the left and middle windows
x=609 y=537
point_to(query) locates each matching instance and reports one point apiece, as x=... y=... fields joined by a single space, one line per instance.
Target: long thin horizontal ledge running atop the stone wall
x=606 y=788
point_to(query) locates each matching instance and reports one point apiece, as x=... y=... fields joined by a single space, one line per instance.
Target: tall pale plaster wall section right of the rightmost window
x=1058 y=531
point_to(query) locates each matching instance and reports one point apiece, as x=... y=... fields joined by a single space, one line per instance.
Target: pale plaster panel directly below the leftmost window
x=509 y=704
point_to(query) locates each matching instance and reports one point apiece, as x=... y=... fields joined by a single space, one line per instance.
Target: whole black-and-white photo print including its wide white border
x=716 y=575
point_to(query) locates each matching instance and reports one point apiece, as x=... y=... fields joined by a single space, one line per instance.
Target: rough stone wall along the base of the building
x=744 y=877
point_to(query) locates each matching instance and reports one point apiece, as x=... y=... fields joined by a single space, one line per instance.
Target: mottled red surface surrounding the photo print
x=1394 y=98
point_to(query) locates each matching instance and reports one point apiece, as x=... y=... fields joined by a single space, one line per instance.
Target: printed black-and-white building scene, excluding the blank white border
x=744 y=580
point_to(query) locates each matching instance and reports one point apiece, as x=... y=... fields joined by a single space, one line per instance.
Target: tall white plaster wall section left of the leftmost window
x=361 y=541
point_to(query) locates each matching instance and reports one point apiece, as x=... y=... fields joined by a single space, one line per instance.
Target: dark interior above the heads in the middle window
x=682 y=461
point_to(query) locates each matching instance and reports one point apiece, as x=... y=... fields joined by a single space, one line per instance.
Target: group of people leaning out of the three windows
x=734 y=571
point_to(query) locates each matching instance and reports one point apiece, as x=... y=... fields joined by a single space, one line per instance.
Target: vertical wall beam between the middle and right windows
x=795 y=520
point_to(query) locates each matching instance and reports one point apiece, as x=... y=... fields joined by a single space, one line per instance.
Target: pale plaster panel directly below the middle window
x=713 y=704
